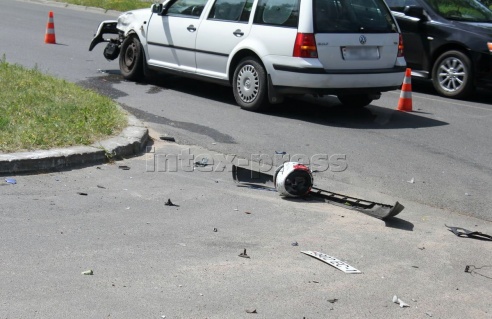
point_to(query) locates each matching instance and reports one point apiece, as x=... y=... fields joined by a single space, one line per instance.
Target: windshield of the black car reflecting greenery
x=462 y=10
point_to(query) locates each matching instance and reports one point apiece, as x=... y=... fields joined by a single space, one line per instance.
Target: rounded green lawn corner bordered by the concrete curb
x=38 y=111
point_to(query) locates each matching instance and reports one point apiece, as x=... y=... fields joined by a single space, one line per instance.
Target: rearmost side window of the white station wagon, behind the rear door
x=283 y=13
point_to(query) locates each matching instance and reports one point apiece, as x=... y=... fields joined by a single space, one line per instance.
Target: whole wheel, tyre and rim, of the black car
x=452 y=75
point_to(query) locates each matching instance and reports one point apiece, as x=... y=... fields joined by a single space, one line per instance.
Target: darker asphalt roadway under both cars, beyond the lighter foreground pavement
x=444 y=146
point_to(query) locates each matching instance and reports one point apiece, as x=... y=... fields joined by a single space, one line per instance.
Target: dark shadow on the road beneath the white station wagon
x=325 y=111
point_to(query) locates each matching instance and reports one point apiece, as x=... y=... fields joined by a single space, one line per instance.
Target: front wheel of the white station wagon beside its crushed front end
x=131 y=58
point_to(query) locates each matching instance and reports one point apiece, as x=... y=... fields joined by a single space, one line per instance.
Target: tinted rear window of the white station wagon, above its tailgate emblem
x=353 y=16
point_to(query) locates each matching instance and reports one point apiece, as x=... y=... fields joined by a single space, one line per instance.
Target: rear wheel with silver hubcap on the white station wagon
x=249 y=85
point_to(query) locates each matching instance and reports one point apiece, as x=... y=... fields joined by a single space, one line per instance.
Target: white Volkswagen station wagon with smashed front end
x=264 y=49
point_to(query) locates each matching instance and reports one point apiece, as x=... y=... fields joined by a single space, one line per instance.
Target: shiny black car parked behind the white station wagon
x=447 y=41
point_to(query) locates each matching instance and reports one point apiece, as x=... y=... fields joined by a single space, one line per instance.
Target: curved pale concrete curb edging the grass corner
x=130 y=141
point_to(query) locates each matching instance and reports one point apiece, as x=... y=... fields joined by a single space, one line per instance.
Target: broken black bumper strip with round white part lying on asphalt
x=295 y=180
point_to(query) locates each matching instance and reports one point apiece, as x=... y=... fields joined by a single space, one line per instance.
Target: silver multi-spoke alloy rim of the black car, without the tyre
x=451 y=74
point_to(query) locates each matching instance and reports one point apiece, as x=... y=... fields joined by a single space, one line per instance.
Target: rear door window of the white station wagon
x=231 y=10
